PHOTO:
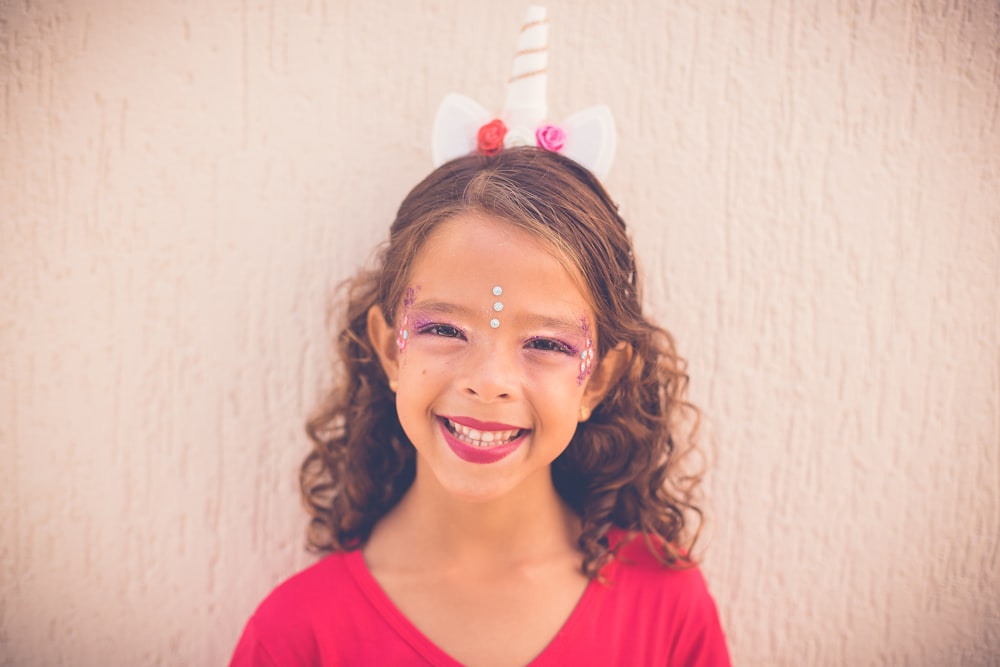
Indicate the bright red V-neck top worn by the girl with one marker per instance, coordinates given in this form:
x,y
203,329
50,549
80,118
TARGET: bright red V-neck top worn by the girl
x,y
335,613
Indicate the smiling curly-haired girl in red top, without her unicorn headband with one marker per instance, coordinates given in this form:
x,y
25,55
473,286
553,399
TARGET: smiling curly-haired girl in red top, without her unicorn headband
x,y
497,477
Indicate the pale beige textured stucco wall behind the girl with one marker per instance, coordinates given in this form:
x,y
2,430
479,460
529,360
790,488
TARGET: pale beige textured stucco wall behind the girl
x,y
813,188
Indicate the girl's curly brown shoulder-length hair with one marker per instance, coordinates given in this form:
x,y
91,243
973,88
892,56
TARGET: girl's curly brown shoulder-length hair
x,y
622,468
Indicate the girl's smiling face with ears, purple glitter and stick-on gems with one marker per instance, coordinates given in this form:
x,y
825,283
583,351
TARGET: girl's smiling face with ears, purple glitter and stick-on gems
x,y
492,355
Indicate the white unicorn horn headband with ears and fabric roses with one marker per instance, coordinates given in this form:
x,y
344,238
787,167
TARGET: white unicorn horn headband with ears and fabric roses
x,y
462,126
